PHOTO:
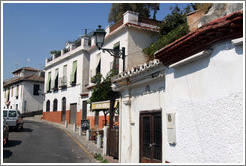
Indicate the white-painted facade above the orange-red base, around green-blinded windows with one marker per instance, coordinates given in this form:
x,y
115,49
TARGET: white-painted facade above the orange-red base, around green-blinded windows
x,y
62,67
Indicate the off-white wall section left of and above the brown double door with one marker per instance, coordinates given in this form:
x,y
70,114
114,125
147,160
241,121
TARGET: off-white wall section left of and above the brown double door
x,y
129,117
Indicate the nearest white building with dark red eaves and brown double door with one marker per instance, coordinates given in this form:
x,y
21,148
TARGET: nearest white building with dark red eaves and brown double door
x,y
188,108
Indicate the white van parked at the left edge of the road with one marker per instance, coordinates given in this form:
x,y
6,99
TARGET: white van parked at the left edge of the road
x,y
13,119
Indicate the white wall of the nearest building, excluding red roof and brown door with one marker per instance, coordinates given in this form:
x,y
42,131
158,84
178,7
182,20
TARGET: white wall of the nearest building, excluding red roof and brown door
x,y
206,96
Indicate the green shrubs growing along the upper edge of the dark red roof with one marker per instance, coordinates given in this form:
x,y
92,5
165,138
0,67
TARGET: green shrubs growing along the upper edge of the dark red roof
x,y
166,39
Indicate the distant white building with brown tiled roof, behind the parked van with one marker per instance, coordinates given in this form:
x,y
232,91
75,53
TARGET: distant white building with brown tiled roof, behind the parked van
x,y
24,90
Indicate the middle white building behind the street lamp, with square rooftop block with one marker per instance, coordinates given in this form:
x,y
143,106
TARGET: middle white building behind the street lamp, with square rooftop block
x,y
132,32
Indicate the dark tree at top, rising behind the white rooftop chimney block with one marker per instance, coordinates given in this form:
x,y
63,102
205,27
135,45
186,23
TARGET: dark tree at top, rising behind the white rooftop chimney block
x,y
118,9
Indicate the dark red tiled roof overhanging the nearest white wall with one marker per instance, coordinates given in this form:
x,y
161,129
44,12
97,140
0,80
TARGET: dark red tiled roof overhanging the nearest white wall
x,y
219,30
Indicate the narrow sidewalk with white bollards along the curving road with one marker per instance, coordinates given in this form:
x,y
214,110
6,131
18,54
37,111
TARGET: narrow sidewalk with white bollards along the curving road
x,y
88,146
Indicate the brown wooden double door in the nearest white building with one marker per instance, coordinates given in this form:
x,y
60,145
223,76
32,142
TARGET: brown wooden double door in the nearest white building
x,y
150,137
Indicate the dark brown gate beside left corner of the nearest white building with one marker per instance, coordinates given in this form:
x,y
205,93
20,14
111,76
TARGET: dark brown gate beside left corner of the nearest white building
x,y
113,143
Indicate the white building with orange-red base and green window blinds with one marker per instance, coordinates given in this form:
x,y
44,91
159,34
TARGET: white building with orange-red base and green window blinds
x,y
66,76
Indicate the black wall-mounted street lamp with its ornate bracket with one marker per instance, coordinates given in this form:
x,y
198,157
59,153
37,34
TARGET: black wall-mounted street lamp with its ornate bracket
x,y
99,35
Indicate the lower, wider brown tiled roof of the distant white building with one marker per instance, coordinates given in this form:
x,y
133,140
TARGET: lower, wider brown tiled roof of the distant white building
x,y
32,77
